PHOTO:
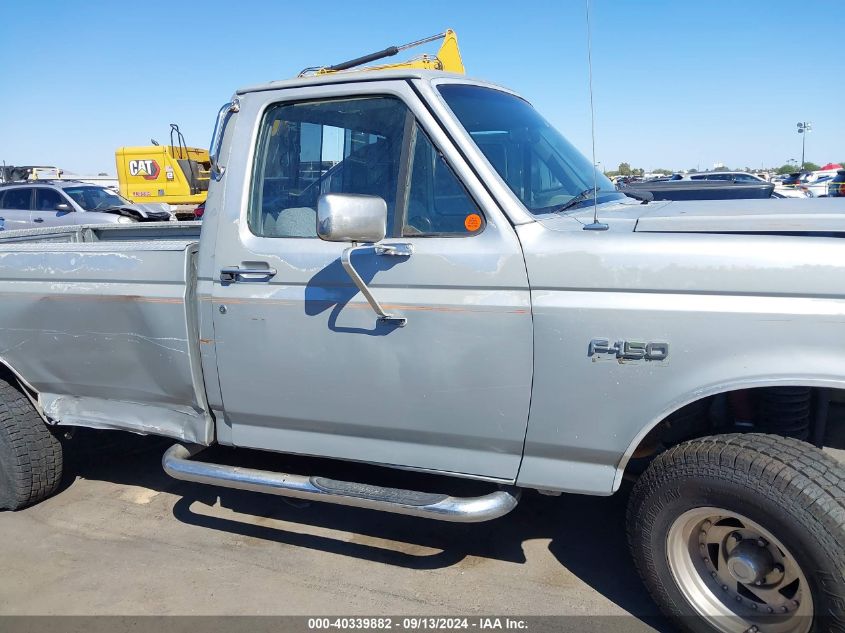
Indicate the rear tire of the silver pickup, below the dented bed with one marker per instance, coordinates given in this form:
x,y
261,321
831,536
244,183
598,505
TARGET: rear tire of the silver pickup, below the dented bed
x,y
30,455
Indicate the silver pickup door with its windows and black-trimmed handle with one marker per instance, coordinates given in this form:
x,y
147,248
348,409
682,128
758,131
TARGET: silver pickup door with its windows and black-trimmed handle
x,y
304,365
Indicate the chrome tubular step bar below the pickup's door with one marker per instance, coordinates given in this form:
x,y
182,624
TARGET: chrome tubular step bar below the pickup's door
x,y
178,464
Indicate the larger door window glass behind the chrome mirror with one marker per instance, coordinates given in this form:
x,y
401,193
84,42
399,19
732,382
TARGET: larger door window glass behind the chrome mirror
x,y
335,146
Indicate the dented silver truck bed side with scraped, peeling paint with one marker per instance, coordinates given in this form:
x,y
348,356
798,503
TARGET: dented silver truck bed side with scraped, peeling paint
x,y
101,322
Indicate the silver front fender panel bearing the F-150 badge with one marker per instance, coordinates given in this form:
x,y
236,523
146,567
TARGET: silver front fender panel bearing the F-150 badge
x,y
736,311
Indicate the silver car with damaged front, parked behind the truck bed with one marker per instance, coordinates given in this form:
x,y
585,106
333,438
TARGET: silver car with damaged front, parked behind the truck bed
x,y
25,205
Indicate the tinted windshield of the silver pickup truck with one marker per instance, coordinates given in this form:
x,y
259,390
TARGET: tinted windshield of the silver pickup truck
x,y
540,166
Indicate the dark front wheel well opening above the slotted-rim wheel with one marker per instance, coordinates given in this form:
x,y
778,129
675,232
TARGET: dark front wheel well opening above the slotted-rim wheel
x,y
812,414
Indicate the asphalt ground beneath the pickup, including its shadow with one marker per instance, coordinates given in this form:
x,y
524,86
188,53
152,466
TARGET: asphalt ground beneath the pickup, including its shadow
x,y
122,538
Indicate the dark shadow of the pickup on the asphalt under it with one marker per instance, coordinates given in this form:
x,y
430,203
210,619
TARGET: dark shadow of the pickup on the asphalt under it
x,y
587,533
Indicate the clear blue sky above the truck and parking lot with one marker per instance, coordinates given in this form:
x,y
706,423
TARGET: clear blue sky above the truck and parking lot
x,y
677,84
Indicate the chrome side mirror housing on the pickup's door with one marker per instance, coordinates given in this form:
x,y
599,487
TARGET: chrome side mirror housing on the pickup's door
x,y
351,217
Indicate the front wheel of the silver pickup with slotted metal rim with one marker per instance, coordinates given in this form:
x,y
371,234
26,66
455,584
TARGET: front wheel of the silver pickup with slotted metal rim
x,y
743,533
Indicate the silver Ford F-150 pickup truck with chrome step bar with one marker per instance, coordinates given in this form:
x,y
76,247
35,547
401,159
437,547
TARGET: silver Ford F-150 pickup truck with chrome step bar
x,y
415,270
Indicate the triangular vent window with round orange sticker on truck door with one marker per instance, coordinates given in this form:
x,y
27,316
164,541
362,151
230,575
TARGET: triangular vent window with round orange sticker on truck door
x,y
438,204
